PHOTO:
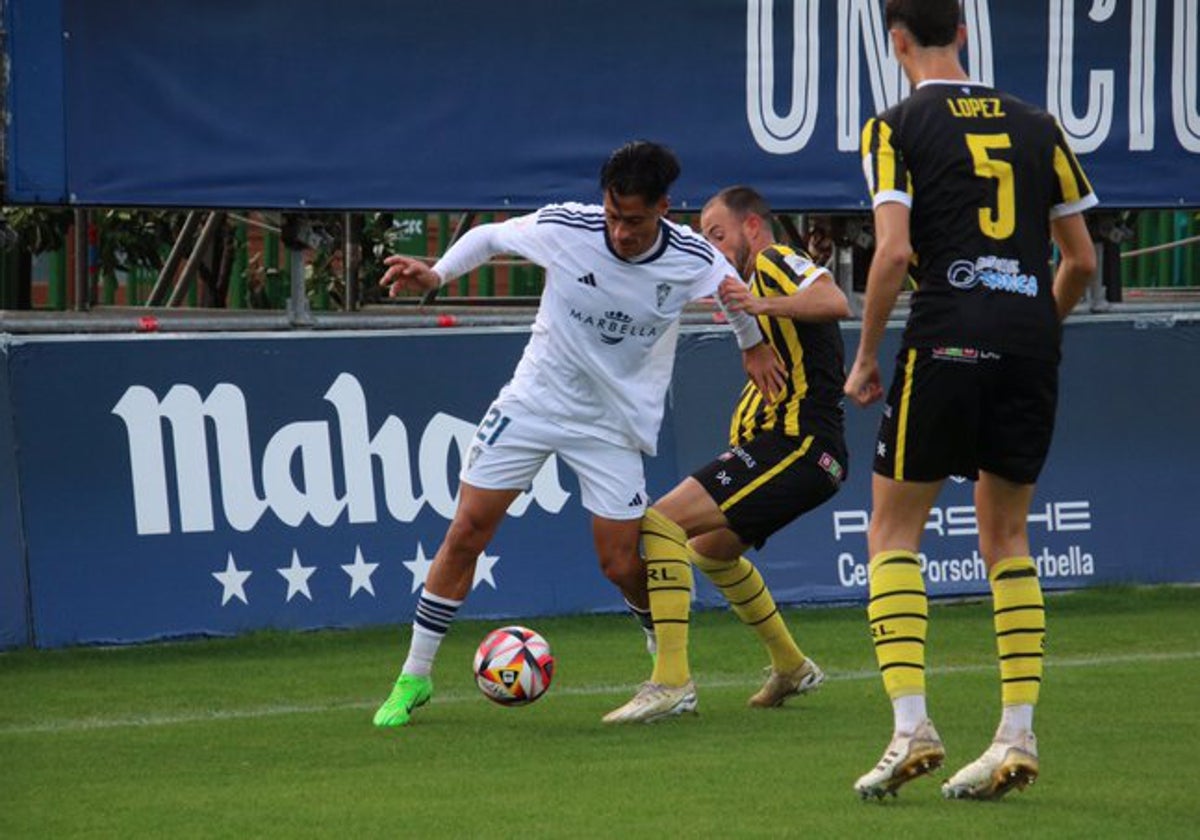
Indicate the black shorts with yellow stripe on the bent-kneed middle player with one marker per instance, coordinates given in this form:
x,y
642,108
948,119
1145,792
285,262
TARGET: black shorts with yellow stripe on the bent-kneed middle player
x,y
771,481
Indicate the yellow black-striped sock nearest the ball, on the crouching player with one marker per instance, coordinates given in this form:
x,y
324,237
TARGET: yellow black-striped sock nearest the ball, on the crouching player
x,y
669,583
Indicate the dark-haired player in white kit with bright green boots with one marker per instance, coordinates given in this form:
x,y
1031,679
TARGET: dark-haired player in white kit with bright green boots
x,y
591,386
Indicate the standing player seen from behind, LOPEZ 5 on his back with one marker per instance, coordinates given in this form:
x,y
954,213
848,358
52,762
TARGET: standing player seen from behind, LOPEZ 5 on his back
x,y
969,185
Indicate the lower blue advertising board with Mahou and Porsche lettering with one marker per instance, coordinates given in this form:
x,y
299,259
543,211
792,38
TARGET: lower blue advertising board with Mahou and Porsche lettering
x,y
307,482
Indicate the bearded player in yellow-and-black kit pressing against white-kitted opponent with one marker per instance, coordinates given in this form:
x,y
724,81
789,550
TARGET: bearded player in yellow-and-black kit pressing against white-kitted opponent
x,y
787,457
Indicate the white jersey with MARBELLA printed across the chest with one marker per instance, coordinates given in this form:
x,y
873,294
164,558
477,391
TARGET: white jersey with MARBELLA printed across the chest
x,y
603,347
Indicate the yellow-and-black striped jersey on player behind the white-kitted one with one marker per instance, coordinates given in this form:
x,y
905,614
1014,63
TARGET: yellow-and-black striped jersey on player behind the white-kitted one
x,y
813,353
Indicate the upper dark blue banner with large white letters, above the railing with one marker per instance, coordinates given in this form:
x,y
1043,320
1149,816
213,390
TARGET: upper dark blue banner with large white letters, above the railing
x,y
316,104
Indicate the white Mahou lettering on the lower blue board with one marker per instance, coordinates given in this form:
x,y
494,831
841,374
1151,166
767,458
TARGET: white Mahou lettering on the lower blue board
x,y
249,484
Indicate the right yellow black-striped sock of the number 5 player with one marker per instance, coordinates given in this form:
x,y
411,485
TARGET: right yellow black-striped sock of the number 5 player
x,y
1019,613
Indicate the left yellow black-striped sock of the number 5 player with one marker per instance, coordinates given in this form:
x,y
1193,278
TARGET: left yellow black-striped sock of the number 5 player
x,y
899,613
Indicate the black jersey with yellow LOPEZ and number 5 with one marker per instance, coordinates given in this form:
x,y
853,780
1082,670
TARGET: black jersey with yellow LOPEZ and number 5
x,y
983,175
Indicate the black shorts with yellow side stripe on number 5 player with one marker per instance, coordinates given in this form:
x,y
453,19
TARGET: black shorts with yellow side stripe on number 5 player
x,y
955,411
